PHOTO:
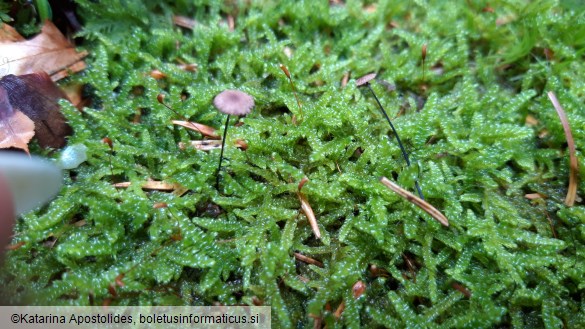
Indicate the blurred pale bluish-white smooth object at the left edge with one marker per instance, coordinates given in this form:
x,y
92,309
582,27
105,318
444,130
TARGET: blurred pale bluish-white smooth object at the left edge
x,y
32,180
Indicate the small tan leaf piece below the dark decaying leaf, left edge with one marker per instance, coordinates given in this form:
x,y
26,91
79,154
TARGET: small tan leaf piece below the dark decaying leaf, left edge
x,y
16,129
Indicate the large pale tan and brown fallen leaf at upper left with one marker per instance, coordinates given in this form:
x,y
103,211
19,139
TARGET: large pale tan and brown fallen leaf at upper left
x,y
49,51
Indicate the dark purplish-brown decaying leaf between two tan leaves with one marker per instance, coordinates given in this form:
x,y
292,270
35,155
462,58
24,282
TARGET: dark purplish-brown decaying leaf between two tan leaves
x,y
37,97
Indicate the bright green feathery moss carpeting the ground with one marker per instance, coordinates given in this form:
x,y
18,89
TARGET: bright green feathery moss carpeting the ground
x,y
475,159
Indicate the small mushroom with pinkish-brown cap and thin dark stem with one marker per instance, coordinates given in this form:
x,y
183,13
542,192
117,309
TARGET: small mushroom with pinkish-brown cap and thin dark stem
x,y
231,102
